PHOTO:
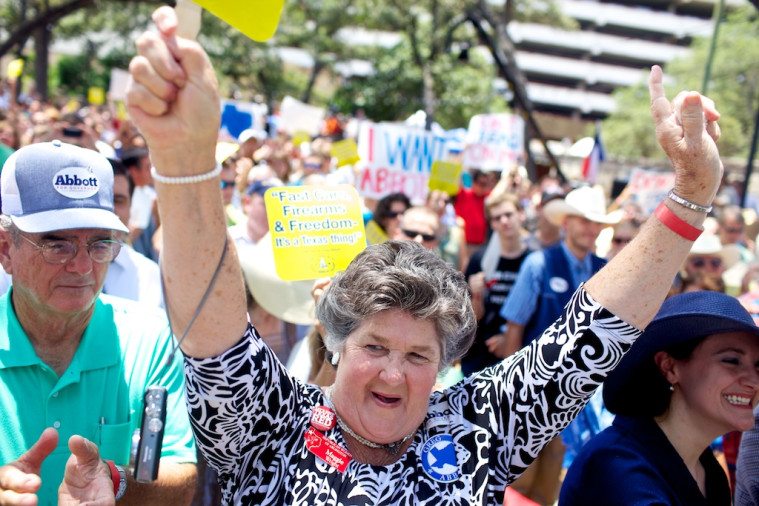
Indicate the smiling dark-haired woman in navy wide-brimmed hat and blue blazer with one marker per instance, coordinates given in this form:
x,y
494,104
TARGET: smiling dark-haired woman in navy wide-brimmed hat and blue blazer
x,y
692,376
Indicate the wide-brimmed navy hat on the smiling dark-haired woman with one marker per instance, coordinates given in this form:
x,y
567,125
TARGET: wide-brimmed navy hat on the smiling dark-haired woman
x,y
683,318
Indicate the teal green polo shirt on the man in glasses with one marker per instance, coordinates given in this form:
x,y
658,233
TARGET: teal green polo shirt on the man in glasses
x,y
124,350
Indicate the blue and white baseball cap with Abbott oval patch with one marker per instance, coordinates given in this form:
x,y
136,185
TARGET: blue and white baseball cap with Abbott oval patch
x,y
57,186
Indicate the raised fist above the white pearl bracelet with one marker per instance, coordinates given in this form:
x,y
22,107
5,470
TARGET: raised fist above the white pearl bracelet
x,y
173,98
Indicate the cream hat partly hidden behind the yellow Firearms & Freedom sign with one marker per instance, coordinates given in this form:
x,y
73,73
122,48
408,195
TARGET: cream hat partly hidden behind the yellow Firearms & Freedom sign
x,y
289,301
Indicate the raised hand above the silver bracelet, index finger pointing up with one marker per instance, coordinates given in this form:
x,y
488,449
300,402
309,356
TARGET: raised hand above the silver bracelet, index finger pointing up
x,y
687,130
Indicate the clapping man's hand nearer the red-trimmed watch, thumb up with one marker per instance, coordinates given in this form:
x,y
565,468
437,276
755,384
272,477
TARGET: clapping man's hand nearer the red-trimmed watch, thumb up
x,y
87,479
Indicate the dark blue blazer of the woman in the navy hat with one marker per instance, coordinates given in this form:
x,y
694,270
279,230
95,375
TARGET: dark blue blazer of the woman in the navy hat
x,y
633,463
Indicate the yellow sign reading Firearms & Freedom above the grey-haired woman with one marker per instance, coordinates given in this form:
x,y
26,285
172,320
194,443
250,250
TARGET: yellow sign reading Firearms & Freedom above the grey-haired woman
x,y
316,230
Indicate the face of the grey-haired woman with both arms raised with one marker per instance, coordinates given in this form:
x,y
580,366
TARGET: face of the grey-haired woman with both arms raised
x,y
386,373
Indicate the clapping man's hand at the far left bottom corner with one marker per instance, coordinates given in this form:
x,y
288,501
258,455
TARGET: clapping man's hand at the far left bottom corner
x,y
20,480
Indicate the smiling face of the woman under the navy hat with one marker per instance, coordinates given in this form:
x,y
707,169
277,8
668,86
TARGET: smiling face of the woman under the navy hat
x,y
718,386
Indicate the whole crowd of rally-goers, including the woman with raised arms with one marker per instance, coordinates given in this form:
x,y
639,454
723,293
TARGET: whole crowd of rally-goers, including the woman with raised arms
x,y
519,340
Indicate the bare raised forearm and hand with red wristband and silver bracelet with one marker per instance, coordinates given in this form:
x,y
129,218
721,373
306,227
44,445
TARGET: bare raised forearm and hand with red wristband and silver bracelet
x,y
634,284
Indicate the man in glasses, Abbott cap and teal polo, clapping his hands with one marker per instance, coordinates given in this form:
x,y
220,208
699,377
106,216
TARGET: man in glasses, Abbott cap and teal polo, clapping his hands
x,y
74,364
